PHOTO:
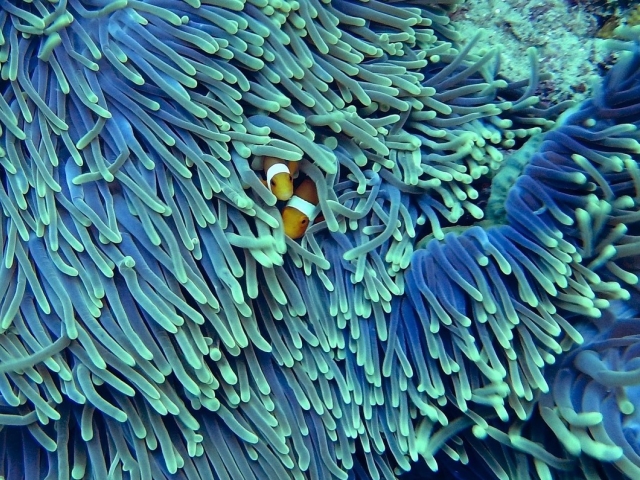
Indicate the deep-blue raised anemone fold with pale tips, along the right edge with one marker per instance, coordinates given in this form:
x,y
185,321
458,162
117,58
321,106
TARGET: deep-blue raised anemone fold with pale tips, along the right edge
x,y
553,275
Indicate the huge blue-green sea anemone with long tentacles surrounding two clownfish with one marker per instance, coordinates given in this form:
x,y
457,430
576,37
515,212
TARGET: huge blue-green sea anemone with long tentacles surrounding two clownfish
x,y
157,322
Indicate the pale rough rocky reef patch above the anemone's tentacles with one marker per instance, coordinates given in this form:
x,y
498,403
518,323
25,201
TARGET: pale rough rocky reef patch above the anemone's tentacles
x,y
562,32
